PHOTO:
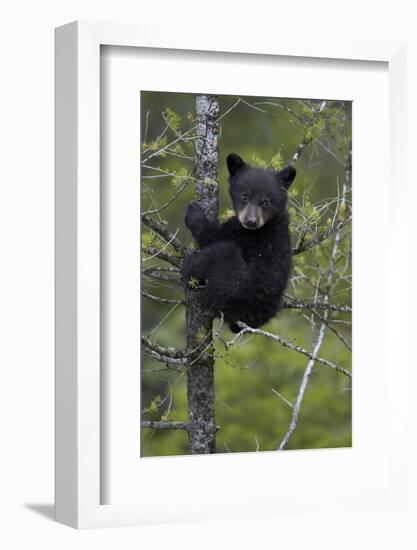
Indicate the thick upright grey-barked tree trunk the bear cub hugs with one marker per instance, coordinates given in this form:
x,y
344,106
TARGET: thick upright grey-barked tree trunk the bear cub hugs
x,y
200,367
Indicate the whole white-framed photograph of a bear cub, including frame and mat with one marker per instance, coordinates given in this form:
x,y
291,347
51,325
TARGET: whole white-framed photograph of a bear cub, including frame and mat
x,y
219,311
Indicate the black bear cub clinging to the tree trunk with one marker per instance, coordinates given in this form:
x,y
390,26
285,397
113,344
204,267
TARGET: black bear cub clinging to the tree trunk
x,y
243,265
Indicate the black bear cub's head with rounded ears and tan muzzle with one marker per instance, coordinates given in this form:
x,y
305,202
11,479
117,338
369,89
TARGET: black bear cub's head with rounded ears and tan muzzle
x,y
259,195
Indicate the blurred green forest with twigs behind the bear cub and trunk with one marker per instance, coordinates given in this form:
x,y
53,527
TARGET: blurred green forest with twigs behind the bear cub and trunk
x,y
256,381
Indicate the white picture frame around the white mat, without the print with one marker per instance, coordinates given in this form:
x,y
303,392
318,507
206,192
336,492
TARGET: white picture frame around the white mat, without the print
x,y
78,411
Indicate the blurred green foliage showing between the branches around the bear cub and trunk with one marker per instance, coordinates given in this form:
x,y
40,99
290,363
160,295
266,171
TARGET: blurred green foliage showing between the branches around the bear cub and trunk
x,y
250,415
